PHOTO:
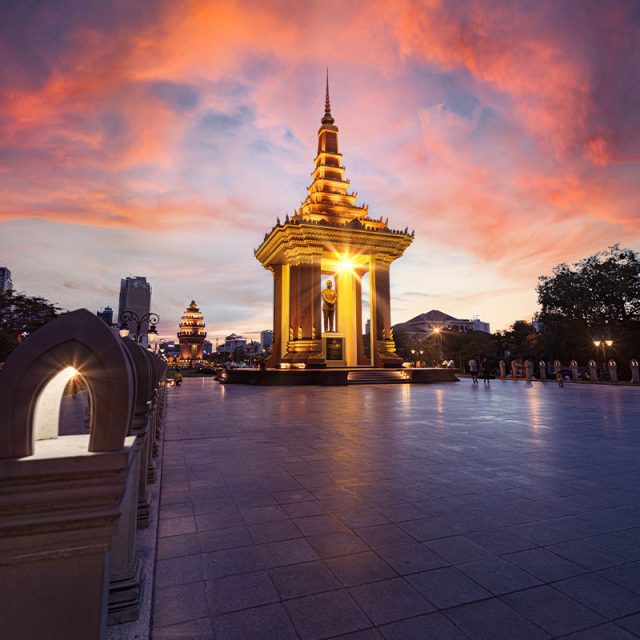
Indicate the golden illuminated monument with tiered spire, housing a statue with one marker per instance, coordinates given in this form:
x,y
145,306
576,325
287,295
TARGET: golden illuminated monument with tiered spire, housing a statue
x,y
329,235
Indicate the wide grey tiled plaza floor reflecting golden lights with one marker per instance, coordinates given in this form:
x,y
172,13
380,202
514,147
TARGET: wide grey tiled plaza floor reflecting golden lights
x,y
398,512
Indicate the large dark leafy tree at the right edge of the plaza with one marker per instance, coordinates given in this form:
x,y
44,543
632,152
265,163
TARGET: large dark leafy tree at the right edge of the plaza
x,y
595,298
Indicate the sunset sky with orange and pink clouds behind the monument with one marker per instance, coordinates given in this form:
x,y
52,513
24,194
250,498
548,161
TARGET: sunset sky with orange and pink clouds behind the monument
x,y
163,138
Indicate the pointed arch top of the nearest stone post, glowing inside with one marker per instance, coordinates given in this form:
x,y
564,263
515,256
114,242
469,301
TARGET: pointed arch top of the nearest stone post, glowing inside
x,y
33,378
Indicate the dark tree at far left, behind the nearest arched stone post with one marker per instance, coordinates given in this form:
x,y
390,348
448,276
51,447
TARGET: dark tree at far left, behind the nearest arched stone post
x,y
21,315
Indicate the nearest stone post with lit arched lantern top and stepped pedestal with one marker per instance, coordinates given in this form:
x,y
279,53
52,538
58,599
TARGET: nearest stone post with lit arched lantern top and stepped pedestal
x,y
54,548
